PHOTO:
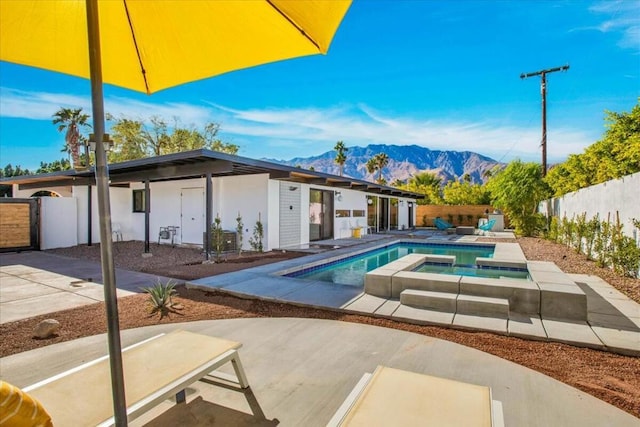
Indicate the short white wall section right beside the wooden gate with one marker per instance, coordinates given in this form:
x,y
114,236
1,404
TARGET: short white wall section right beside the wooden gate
x,y
58,222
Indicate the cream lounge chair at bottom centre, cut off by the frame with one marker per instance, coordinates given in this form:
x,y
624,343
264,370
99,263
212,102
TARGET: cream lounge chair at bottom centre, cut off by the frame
x,y
393,397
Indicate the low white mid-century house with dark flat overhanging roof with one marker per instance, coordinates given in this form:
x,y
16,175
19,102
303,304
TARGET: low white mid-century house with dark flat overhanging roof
x,y
188,190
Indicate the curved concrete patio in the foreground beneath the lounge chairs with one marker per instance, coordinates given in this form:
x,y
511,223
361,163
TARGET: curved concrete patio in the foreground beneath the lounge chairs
x,y
301,370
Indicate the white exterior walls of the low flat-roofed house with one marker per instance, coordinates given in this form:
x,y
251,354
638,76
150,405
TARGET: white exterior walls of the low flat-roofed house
x,y
249,195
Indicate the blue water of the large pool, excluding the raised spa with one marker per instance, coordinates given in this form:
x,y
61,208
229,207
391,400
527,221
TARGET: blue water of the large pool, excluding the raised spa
x,y
351,270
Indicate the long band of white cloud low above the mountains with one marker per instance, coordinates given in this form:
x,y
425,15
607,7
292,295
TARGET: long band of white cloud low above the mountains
x,y
288,132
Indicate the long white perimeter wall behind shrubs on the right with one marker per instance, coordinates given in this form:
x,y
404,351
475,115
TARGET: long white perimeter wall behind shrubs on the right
x,y
619,196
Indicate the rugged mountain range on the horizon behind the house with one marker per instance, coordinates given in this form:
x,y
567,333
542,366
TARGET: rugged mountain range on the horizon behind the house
x,y
404,162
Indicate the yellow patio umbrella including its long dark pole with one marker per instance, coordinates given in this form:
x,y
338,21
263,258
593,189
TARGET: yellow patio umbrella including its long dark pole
x,y
148,46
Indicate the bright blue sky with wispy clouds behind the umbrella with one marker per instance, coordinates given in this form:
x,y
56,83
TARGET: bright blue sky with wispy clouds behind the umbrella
x,y
440,74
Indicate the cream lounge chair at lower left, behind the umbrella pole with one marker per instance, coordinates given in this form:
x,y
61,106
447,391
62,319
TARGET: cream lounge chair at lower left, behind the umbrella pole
x,y
154,370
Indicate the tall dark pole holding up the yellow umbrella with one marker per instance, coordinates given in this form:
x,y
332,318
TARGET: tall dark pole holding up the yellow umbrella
x,y
104,214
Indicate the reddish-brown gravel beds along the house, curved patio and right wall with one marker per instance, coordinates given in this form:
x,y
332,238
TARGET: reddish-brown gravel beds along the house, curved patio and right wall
x,y
610,377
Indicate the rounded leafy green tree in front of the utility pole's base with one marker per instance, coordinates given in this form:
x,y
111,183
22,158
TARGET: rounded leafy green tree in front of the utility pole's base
x,y
517,190
